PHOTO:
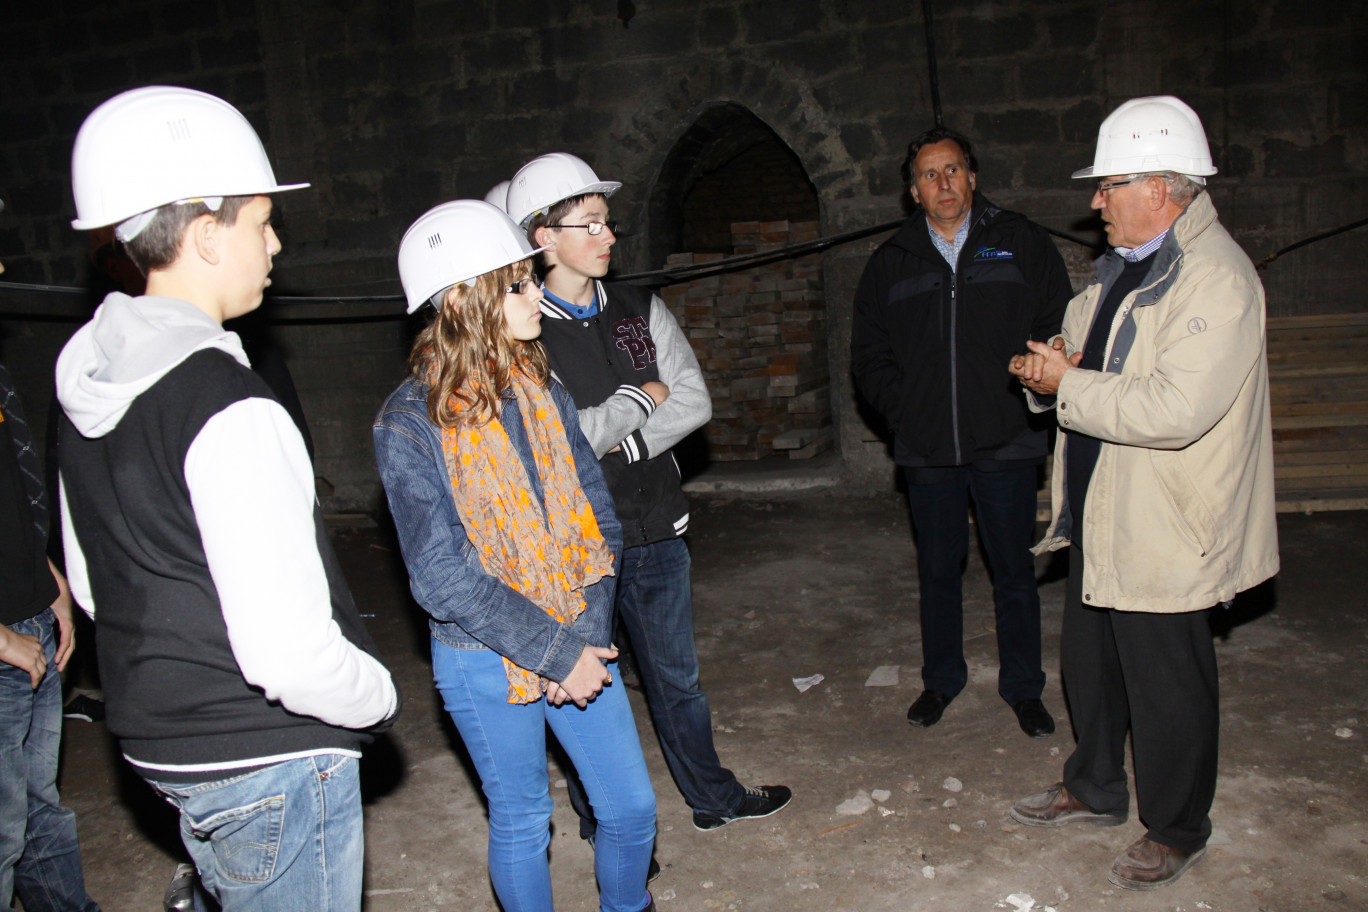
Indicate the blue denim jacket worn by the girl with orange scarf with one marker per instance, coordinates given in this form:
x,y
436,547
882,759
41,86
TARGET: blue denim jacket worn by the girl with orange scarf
x,y
470,609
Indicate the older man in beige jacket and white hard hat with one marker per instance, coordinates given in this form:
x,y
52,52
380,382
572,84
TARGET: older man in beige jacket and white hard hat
x,y
1163,487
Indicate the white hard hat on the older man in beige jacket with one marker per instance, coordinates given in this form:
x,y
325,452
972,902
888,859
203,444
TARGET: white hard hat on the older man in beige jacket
x,y
1157,133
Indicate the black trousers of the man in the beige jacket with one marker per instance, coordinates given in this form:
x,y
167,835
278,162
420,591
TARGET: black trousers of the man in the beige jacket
x,y
1157,676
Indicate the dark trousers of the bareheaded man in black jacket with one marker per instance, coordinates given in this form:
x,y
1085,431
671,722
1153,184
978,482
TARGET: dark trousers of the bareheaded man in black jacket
x,y
1005,502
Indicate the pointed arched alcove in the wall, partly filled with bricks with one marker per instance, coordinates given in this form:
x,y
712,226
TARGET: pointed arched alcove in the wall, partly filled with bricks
x,y
731,187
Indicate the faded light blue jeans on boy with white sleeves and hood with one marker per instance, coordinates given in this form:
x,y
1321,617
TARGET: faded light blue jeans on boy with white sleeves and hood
x,y
285,839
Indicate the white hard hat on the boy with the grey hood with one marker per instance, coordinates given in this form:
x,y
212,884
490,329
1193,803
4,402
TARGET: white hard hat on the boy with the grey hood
x,y
147,148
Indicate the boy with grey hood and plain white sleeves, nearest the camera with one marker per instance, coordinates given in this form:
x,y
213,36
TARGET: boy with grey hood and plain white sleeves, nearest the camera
x,y
237,675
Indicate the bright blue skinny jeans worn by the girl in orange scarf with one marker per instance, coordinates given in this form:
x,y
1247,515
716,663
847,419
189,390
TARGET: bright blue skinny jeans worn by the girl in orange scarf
x,y
508,746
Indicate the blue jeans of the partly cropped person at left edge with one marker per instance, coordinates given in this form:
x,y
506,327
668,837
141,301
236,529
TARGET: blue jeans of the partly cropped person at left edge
x,y
40,858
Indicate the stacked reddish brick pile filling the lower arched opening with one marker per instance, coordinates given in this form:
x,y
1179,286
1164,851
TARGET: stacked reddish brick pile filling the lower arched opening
x,y
761,340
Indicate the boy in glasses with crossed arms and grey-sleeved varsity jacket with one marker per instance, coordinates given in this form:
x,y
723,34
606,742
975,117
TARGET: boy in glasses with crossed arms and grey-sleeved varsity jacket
x,y
640,390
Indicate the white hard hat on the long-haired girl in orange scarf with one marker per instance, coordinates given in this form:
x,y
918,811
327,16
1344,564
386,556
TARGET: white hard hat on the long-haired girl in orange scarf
x,y
456,243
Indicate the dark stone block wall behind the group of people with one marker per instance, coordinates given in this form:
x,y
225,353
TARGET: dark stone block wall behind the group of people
x,y
392,106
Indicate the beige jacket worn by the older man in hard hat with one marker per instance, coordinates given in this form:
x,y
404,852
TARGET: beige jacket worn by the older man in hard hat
x,y
1180,512
